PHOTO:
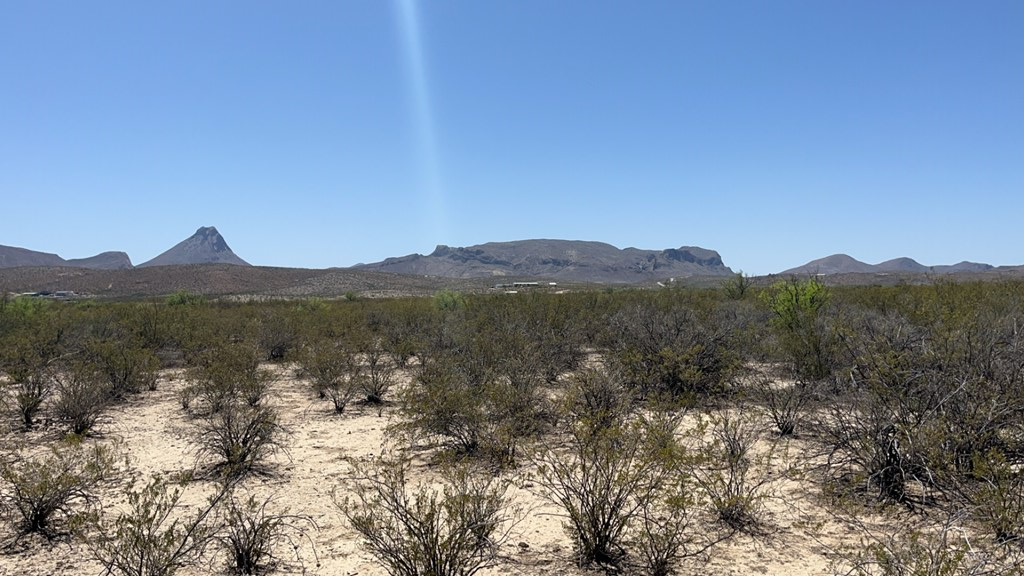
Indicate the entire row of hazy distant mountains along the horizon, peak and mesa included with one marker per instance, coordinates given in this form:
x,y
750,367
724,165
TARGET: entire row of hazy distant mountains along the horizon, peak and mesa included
x,y
567,261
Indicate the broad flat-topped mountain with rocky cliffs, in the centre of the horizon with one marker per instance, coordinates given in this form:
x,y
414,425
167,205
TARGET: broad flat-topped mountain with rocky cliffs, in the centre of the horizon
x,y
565,260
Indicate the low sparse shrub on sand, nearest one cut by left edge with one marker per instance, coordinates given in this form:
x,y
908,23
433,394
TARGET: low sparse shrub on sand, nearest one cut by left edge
x,y
48,489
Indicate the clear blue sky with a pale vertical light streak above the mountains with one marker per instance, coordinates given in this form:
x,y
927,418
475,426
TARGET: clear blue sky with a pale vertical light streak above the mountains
x,y
322,134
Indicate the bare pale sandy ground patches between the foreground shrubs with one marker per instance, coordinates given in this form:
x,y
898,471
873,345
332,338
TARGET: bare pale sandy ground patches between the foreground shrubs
x,y
802,538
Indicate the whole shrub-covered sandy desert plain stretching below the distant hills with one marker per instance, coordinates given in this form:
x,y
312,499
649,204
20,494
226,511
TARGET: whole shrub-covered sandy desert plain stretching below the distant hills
x,y
753,428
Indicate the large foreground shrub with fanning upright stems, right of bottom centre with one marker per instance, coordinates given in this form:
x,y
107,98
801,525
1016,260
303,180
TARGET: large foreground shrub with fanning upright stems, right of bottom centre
x,y
604,479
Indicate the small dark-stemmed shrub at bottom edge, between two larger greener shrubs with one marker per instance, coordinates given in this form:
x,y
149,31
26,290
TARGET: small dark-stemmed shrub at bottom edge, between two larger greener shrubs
x,y
252,536
